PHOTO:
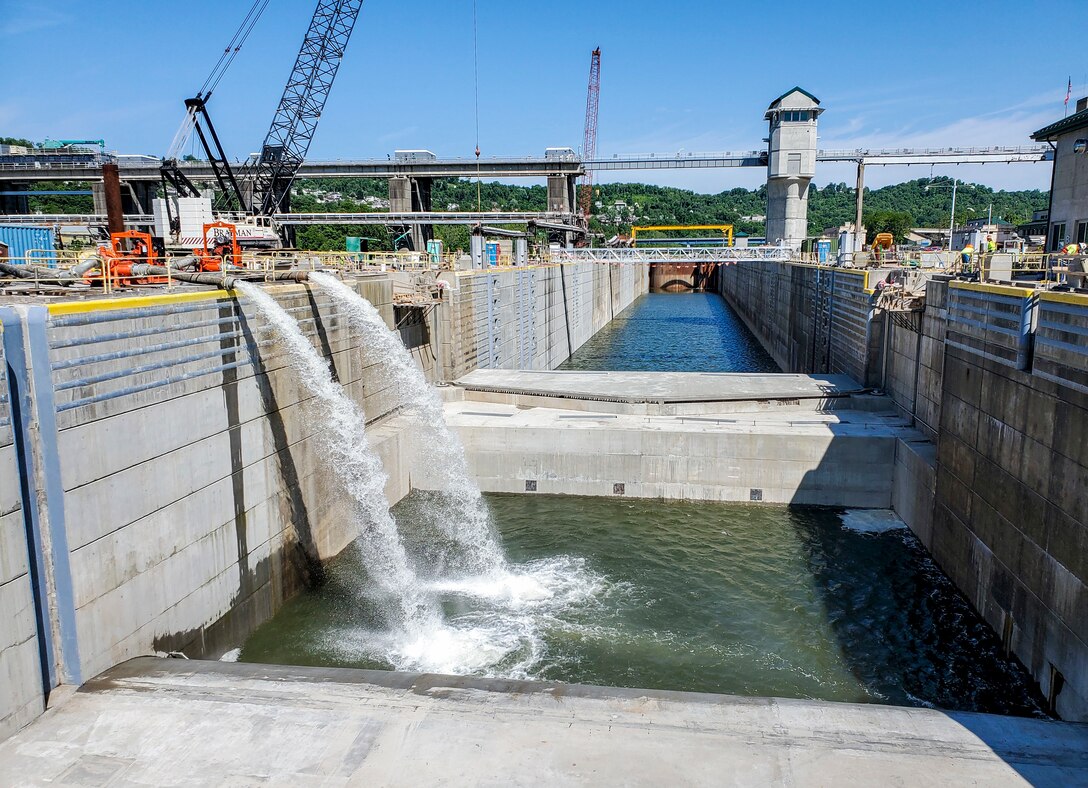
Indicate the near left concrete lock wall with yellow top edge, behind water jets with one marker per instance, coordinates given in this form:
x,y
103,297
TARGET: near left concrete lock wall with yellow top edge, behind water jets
x,y
179,465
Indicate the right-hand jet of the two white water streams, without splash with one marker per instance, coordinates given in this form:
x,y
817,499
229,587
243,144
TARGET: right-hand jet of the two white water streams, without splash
x,y
462,513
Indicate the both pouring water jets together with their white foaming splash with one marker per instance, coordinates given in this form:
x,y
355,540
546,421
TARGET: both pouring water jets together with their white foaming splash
x,y
496,612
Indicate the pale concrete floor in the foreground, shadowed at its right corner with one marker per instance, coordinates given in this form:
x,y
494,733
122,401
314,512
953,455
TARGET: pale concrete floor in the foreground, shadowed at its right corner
x,y
170,722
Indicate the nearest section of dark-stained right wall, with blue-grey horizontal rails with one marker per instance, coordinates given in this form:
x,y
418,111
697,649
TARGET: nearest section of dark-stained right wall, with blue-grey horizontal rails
x,y
1011,516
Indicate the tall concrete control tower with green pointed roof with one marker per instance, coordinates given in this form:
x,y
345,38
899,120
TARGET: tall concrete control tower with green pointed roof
x,y
792,164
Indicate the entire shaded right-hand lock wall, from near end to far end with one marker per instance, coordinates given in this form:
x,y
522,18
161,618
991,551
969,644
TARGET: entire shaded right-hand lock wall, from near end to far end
x,y
997,379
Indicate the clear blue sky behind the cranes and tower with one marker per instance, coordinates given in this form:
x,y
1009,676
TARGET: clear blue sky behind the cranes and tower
x,y
689,75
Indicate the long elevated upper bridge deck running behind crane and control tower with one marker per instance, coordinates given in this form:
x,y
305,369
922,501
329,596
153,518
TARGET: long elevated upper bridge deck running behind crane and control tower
x,y
41,169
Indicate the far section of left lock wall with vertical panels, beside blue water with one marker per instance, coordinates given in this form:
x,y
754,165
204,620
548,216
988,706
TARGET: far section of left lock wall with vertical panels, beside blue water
x,y
528,318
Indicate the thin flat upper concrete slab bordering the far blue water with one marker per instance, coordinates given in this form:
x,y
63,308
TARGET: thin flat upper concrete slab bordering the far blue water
x,y
661,387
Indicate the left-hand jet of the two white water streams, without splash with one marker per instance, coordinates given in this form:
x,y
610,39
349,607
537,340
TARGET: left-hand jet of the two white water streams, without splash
x,y
349,454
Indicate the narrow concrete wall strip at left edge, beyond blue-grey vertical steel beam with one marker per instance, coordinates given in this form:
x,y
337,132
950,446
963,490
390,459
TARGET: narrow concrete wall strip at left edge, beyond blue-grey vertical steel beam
x,y
22,694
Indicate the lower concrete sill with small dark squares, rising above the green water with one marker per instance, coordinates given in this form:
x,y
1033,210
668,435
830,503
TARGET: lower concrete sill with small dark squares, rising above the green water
x,y
786,455
